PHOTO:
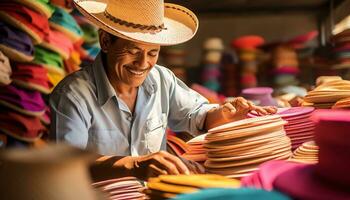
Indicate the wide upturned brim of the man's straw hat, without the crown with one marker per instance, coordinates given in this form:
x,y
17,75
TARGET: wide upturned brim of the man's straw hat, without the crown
x,y
181,24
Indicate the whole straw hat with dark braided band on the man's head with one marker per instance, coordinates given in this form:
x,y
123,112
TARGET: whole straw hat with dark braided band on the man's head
x,y
151,21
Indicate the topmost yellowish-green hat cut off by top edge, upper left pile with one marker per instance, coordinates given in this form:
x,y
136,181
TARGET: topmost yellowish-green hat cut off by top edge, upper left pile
x,y
41,6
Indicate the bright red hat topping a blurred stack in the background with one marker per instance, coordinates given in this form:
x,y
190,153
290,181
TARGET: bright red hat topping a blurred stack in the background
x,y
247,42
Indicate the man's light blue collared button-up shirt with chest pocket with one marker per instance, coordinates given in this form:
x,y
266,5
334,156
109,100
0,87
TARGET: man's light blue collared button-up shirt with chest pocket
x,y
87,113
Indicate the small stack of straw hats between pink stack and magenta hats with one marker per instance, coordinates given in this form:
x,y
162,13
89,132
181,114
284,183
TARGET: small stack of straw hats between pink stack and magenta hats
x,y
306,153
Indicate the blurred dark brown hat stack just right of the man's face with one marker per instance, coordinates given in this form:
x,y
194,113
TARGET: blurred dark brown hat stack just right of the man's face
x,y
174,57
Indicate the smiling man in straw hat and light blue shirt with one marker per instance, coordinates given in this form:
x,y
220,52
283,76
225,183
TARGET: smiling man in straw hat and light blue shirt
x,y
121,105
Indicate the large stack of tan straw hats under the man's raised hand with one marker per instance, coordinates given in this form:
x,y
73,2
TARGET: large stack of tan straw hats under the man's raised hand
x,y
236,149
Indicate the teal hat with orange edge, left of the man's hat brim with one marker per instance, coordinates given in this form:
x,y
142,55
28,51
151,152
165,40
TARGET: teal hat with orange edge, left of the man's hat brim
x,y
65,23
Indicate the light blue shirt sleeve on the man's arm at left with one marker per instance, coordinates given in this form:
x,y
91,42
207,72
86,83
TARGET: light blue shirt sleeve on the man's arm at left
x,y
68,122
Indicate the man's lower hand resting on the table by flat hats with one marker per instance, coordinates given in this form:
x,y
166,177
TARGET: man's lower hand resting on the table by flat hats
x,y
153,165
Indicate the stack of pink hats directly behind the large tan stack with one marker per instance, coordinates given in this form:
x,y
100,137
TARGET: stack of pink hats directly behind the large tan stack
x,y
299,128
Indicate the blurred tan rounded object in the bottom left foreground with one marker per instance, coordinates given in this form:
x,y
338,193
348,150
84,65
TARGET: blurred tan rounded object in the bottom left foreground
x,y
54,172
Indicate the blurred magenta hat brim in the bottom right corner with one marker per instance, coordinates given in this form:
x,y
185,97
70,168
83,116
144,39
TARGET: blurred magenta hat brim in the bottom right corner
x,y
300,182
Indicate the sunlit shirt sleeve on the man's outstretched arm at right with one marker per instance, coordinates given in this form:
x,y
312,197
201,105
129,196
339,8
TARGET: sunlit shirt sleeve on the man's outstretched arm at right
x,y
187,109
